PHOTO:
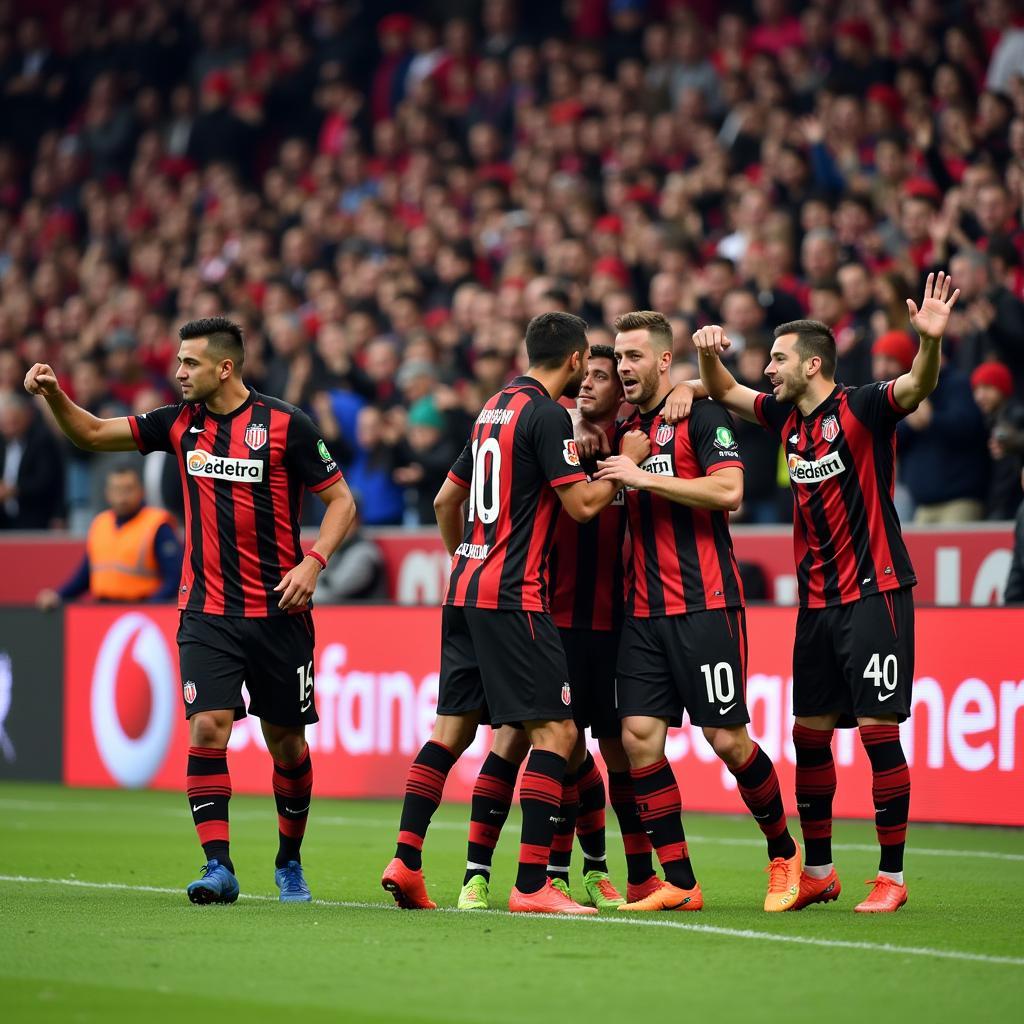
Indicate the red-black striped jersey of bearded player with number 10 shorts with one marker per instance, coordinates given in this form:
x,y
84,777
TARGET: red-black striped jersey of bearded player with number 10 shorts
x,y
682,557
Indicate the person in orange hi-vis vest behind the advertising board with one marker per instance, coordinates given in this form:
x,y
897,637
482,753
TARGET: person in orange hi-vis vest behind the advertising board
x,y
132,552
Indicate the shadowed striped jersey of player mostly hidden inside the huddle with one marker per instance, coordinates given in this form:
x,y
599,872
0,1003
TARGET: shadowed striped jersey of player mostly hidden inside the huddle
x,y
587,586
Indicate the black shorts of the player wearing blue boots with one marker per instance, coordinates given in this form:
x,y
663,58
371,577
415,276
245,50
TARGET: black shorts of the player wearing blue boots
x,y
274,657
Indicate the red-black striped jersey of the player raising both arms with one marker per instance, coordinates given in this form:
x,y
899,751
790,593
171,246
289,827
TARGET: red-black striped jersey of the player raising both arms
x,y
846,534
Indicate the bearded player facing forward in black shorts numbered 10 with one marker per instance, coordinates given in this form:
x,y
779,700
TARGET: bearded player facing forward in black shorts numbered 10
x,y
685,639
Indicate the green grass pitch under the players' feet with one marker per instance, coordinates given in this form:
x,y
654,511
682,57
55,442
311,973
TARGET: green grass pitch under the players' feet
x,y
74,953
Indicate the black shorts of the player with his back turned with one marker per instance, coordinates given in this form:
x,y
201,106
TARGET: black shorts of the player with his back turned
x,y
509,665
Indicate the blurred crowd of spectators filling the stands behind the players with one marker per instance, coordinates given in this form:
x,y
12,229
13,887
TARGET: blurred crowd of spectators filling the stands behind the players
x,y
385,199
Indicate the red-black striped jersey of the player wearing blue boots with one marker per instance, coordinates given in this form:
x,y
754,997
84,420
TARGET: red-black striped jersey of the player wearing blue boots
x,y
243,476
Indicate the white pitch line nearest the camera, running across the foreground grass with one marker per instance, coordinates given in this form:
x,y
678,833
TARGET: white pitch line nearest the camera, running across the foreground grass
x,y
735,933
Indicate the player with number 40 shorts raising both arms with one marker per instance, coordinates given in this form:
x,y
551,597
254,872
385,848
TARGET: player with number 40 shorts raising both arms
x,y
854,657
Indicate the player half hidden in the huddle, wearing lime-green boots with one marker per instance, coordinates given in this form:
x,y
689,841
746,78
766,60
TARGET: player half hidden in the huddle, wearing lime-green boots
x,y
586,589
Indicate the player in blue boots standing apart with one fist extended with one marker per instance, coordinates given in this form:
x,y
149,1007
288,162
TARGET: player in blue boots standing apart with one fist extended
x,y
244,598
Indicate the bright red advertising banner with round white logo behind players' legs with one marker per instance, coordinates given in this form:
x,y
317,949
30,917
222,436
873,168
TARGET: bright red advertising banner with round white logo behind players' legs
x,y
376,686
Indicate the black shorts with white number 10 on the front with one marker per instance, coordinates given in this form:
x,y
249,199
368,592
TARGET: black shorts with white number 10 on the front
x,y
695,663
